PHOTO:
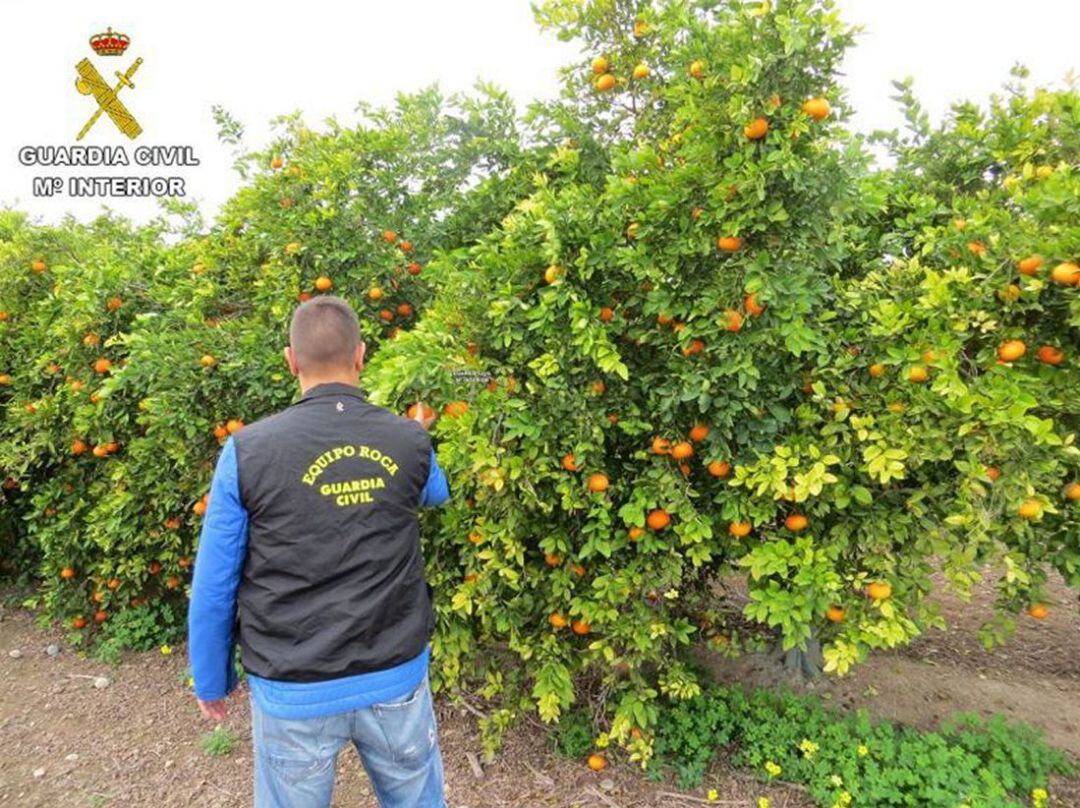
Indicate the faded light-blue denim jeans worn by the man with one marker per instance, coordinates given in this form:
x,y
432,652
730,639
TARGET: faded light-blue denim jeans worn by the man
x,y
398,743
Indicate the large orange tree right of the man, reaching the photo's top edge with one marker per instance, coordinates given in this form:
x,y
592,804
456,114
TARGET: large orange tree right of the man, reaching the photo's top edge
x,y
710,341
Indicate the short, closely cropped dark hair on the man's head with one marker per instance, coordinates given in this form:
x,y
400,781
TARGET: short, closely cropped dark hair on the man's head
x,y
325,334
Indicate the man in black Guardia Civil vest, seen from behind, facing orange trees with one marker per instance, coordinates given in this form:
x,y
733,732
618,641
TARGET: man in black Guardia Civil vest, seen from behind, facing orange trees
x,y
310,560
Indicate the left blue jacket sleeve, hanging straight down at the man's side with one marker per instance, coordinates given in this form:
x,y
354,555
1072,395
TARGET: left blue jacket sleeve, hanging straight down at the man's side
x,y
220,561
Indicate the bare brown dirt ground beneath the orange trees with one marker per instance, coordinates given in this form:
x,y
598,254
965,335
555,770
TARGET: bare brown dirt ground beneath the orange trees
x,y
137,743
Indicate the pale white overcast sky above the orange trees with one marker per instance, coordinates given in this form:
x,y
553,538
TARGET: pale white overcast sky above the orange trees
x,y
322,57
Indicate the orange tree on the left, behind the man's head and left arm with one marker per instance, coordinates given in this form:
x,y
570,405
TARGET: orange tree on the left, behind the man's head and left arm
x,y
130,354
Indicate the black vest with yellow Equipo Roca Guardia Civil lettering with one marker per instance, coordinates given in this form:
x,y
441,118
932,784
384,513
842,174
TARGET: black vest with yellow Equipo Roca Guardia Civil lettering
x,y
333,584
